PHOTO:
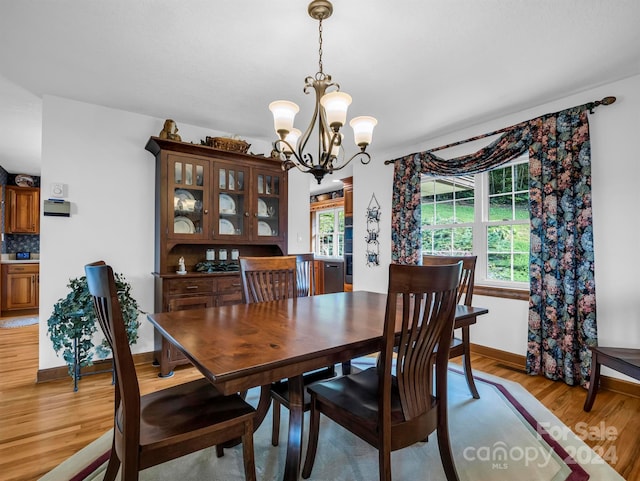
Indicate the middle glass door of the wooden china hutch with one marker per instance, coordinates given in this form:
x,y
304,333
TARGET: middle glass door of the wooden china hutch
x,y
231,197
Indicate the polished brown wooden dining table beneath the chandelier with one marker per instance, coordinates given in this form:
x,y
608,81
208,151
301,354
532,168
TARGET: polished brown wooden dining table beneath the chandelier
x,y
243,346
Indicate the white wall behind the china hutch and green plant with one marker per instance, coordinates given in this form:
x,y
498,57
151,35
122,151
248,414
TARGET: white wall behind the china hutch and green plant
x,y
99,154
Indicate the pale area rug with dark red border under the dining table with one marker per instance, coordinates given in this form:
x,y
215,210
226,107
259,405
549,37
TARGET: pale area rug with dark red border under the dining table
x,y
505,435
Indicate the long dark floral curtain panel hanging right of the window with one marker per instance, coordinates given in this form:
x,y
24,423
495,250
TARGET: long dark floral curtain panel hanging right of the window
x,y
562,303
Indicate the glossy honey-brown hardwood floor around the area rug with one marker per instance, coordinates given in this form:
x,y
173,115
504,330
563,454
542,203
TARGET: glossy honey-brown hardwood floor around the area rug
x,y
43,424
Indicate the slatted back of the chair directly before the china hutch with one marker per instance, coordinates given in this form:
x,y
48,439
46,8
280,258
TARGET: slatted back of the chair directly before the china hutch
x,y
268,278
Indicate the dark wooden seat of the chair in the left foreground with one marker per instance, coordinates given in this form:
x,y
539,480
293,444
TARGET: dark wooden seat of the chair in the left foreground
x,y
186,410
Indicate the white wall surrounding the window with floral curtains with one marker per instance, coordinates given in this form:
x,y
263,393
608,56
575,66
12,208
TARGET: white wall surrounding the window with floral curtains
x,y
615,171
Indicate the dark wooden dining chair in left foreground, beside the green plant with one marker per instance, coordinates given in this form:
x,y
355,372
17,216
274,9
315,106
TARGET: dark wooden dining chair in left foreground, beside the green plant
x,y
163,425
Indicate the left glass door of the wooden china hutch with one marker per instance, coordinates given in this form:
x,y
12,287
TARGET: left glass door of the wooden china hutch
x,y
189,204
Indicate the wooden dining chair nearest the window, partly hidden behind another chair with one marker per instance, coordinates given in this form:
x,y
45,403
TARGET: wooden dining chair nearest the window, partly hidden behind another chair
x,y
461,346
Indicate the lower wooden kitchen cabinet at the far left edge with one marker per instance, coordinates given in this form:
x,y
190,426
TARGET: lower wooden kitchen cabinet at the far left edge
x,y
20,286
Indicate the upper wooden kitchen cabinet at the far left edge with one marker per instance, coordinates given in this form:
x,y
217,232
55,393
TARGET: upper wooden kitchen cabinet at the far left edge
x,y
22,210
